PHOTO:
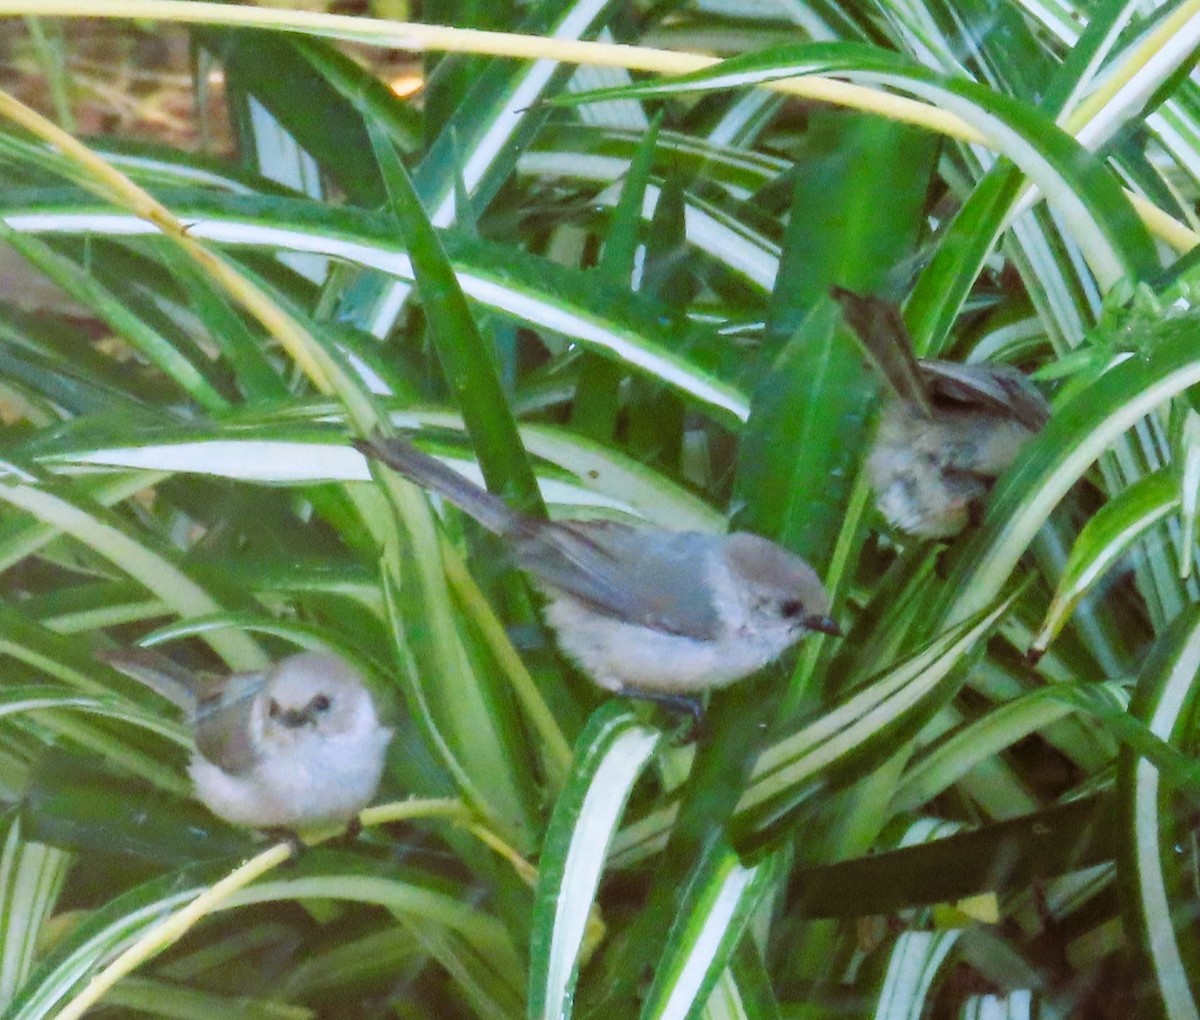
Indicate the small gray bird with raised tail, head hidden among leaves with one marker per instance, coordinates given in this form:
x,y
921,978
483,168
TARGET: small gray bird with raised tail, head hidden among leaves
x,y
947,431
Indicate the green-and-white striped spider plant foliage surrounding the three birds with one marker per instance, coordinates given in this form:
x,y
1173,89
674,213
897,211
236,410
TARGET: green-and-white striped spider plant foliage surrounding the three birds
x,y
608,293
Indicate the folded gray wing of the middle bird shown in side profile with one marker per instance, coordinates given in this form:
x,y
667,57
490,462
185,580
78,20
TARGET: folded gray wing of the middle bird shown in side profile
x,y
651,578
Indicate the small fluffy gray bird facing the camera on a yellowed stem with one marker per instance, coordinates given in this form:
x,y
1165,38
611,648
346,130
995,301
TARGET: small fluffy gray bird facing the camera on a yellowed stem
x,y
295,747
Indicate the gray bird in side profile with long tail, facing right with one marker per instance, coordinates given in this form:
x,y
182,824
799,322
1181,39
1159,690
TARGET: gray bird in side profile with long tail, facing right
x,y
644,611
